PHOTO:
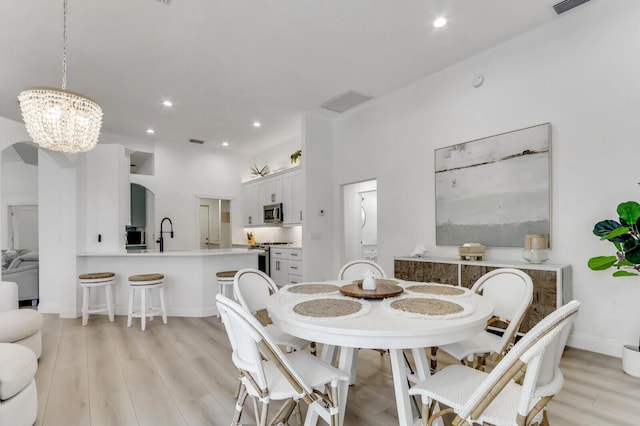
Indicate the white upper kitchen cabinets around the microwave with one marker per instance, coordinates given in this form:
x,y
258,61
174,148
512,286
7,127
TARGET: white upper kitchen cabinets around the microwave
x,y
285,187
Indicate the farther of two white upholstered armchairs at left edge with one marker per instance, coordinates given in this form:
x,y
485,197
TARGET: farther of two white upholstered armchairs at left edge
x,y
22,326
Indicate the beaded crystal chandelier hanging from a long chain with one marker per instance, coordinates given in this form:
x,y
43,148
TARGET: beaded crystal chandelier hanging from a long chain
x,y
58,119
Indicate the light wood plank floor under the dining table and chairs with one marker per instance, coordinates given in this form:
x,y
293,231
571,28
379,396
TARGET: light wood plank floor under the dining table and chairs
x,y
181,374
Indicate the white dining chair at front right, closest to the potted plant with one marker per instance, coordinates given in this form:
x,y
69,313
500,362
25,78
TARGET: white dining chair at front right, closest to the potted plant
x,y
518,388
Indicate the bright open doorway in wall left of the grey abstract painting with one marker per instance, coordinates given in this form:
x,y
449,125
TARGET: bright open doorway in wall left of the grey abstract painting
x,y
360,218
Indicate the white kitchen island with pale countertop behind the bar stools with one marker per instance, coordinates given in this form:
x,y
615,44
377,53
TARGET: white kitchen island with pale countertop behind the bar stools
x,y
190,275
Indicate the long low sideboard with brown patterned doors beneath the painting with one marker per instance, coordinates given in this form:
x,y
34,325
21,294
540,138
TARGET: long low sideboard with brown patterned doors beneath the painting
x,y
551,283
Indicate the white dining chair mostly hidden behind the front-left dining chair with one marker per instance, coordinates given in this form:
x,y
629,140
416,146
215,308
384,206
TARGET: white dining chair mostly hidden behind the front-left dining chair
x,y
251,288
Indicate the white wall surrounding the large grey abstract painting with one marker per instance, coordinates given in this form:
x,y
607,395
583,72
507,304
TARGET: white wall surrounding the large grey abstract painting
x,y
579,73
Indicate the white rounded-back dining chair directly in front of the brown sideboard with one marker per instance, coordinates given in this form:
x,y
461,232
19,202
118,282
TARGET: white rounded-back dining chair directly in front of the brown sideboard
x,y
511,292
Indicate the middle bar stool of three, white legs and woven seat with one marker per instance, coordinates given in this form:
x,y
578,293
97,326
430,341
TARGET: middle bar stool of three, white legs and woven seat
x,y
146,283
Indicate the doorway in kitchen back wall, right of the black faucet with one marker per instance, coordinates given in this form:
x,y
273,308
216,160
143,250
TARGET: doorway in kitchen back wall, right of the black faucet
x,y
214,223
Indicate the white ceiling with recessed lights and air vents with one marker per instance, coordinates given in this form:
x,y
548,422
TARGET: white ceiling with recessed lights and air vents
x,y
226,63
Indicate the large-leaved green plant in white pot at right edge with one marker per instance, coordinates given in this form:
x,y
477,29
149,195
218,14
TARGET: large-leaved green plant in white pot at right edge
x,y
624,235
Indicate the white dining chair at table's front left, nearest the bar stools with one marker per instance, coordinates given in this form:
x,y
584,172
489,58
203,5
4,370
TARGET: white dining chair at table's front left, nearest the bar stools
x,y
267,373
